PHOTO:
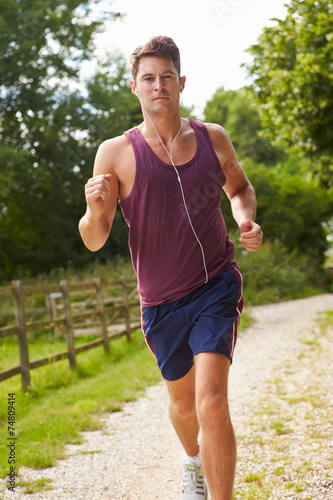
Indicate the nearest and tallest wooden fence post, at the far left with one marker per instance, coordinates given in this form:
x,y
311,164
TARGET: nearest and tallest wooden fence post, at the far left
x,y
21,333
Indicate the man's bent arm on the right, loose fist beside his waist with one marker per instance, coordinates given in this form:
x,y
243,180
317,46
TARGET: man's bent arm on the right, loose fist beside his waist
x,y
238,189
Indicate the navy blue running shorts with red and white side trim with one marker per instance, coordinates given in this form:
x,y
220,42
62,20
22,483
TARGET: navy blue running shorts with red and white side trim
x,y
205,320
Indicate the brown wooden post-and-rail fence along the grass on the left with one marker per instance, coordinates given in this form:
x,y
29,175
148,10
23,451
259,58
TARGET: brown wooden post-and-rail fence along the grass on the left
x,y
109,309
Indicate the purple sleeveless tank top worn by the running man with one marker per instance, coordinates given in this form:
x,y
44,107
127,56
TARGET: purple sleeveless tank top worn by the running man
x,y
166,256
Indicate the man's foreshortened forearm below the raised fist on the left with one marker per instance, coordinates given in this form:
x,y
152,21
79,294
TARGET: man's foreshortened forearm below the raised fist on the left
x,y
94,231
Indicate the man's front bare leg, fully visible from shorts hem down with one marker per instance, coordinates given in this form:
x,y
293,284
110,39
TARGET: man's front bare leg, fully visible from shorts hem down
x,y
218,444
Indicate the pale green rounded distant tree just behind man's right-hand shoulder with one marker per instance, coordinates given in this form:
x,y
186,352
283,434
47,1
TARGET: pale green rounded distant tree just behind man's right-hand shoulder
x,y
236,111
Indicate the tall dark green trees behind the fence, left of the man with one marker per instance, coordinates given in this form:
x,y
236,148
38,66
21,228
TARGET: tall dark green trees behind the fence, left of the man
x,y
51,122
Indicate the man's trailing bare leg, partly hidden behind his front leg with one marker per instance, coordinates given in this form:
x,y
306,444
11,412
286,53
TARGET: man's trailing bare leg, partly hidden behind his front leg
x,y
182,411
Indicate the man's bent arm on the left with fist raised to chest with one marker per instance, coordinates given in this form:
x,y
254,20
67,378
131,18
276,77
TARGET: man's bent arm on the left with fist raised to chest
x,y
101,193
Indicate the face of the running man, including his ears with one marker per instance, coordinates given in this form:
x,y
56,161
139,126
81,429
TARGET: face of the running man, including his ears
x,y
158,83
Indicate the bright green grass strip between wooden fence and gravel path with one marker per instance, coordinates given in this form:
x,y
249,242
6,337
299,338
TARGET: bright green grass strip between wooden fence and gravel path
x,y
62,403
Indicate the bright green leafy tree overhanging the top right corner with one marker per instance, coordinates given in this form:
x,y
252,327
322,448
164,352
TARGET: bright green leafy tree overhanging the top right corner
x,y
293,79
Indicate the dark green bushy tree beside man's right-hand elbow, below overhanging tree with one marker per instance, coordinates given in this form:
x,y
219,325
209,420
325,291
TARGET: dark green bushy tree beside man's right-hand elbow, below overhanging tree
x,y
292,209
